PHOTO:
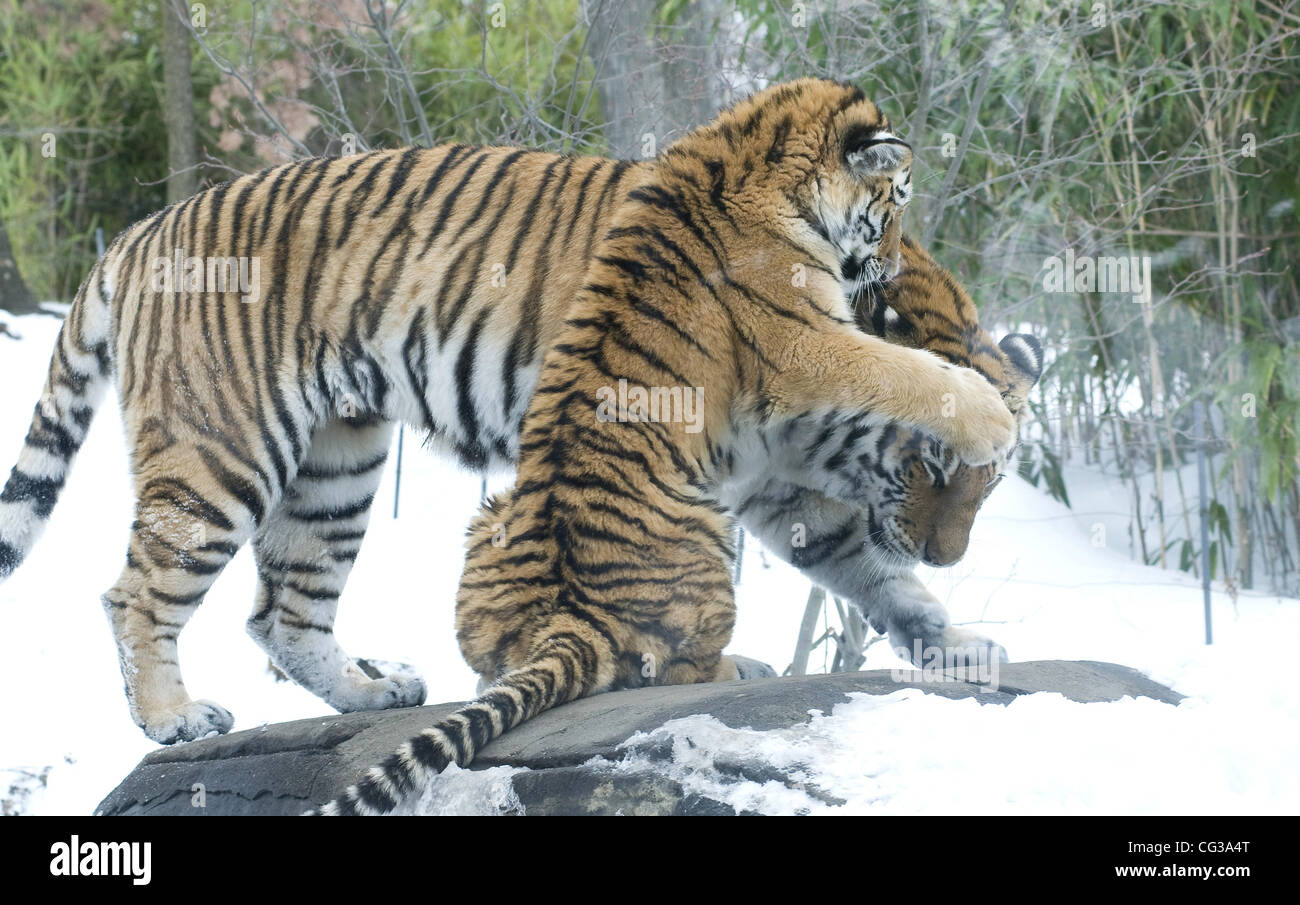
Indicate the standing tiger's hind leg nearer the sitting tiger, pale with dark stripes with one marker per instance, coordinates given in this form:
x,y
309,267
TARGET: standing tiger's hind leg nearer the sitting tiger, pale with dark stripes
x,y
305,553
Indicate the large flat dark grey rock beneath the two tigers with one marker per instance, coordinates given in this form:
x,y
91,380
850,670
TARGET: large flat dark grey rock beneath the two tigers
x,y
569,756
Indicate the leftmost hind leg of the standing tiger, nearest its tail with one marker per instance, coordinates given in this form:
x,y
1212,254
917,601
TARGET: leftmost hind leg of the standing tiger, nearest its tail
x,y
183,539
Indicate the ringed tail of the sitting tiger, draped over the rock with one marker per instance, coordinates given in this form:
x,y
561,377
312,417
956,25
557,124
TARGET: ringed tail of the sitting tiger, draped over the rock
x,y
557,673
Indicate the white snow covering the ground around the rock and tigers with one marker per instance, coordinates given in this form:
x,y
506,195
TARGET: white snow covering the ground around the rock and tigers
x,y
1033,579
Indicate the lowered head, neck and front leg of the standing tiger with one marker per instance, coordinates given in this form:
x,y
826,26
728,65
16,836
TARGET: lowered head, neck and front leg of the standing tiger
x,y
924,503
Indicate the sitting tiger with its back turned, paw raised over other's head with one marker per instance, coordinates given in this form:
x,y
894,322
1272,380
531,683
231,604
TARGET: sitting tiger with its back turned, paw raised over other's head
x,y
609,562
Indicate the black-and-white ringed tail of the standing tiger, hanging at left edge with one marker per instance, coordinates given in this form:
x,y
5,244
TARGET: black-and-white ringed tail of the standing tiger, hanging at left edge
x,y
79,375
